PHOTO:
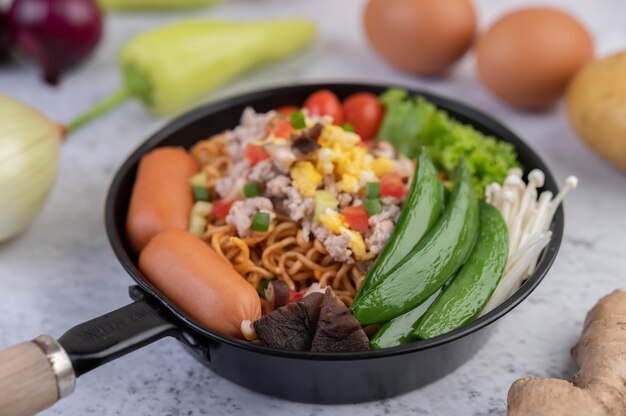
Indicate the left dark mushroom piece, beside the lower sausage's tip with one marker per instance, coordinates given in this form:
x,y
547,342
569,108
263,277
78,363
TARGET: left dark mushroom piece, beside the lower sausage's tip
x,y
291,327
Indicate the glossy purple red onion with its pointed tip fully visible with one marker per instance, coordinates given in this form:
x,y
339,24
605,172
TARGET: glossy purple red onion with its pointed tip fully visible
x,y
59,34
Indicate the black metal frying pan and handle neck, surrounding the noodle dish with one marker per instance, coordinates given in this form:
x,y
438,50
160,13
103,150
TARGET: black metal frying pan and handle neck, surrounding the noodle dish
x,y
356,377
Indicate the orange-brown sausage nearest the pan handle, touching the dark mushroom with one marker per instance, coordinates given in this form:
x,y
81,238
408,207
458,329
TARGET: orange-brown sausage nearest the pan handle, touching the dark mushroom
x,y
202,284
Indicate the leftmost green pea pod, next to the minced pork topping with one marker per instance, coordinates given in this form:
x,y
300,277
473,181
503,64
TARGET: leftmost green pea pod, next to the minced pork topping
x,y
421,210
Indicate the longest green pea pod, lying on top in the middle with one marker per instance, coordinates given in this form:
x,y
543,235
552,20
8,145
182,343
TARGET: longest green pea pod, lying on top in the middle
x,y
430,263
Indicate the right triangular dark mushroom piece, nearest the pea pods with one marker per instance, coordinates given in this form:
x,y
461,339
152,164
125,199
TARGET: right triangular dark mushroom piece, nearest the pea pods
x,y
337,329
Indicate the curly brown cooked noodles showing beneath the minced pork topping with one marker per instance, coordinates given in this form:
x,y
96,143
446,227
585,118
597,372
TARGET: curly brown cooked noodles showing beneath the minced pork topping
x,y
283,252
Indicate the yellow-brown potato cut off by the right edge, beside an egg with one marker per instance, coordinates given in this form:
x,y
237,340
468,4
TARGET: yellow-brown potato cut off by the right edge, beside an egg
x,y
596,104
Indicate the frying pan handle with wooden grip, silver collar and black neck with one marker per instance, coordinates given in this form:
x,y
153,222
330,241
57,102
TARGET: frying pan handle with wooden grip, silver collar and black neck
x,y
34,375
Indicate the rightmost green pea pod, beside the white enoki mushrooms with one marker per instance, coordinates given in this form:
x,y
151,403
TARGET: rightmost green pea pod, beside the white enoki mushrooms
x,y
467,295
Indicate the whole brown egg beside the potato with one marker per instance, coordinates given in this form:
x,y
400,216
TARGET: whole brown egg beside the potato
x,y
527,57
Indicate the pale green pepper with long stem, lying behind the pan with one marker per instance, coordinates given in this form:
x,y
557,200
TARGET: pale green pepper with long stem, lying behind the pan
x,y
171,68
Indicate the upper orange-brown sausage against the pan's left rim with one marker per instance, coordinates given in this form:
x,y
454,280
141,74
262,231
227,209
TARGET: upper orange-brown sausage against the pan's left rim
x,y
162,197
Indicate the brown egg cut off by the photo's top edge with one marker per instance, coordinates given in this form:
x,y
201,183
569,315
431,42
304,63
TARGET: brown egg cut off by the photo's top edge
x,y
424,37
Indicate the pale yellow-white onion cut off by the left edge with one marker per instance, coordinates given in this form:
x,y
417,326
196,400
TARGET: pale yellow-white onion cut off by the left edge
x,y
29,159
